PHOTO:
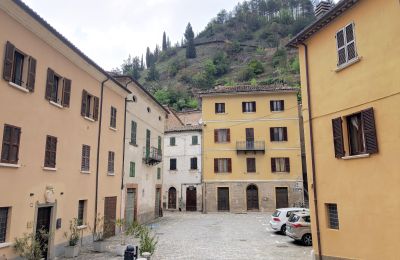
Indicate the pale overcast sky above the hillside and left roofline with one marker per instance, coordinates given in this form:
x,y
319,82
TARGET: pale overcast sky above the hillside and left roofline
x,y
109,30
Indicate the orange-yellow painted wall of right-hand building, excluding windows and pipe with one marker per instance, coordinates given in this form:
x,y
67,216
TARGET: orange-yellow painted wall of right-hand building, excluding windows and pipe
x,y
366,188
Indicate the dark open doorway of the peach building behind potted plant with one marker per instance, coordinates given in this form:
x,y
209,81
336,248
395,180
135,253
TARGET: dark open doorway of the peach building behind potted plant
x,y
43,223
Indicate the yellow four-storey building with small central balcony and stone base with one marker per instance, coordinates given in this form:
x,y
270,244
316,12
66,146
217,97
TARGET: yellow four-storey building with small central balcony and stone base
x,y
251,148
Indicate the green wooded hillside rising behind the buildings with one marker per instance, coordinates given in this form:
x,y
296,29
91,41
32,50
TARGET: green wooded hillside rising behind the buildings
x,y
244,46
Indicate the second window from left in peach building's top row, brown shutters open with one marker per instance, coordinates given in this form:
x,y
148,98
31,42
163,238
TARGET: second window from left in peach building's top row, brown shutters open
x,y
58,89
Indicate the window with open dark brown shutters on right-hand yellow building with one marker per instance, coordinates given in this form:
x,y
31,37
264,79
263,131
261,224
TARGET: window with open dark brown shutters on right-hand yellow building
x,y
361,134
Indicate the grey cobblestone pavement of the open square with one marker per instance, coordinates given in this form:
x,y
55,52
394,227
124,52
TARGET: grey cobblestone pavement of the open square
x,y
187,236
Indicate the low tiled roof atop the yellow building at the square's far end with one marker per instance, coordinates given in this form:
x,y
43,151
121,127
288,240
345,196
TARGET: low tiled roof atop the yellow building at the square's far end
x,y
248,89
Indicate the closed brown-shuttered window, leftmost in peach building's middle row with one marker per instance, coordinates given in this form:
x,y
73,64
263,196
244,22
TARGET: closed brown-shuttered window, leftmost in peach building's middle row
x,y
10,148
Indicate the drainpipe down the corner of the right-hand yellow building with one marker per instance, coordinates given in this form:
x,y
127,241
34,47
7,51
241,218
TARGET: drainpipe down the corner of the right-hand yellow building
x,y
314,177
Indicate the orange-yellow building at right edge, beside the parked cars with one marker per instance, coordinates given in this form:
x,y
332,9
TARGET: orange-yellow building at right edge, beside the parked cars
x,y
350,77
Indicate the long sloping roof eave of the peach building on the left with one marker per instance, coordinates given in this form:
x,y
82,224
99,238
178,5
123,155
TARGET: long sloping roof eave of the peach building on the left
x,y
45,24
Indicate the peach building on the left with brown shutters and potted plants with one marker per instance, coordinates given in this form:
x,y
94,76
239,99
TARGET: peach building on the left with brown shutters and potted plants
x,y
61,125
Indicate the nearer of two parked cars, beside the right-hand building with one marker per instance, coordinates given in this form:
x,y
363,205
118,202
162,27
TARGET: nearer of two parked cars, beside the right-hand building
x,y
298,227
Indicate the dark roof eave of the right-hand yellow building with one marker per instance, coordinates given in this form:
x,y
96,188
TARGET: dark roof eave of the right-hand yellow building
x,y
336,11
